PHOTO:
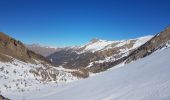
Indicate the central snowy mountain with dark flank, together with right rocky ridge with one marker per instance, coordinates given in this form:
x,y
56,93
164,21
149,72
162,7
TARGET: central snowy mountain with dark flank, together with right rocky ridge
x,y
100,55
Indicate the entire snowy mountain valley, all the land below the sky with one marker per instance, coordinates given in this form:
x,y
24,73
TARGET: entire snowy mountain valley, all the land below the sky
x,y
134,69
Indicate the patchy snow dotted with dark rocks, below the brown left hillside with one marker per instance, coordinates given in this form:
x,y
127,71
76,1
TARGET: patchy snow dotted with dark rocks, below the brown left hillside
x,y
16,76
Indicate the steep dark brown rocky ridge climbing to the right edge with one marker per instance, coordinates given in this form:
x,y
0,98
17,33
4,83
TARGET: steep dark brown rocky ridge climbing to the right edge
x,y
161,40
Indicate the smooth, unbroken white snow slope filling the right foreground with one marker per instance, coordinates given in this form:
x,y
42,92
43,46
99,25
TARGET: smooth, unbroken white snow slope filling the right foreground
x,y
144,79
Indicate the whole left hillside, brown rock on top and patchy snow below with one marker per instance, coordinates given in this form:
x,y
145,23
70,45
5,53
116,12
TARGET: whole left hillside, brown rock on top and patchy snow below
x,y
23,70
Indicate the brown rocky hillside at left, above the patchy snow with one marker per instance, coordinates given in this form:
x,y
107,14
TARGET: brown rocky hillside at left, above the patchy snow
x,y
16,49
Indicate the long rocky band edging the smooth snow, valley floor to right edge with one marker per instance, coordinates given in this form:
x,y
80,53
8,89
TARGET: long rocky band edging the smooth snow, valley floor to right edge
x,y
159,41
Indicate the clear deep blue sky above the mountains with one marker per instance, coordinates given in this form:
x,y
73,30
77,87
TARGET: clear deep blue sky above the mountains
x,y
75,22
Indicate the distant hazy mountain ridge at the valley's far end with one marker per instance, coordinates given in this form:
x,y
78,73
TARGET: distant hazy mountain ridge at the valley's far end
x,y
42,50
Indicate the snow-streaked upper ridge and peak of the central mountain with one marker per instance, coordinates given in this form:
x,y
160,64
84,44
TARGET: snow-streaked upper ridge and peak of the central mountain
x,y
96,45
